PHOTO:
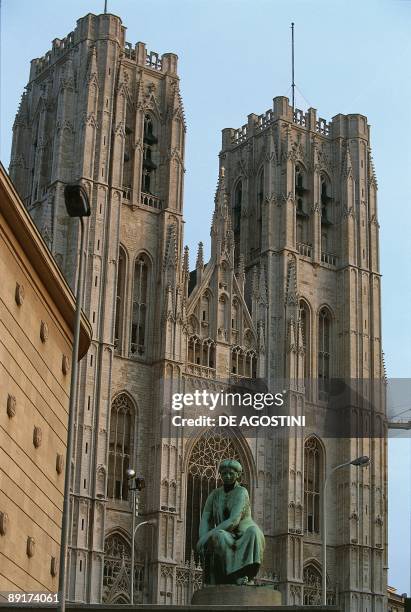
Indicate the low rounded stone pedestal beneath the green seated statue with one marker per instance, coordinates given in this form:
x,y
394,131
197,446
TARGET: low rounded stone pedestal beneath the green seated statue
x,y
233,595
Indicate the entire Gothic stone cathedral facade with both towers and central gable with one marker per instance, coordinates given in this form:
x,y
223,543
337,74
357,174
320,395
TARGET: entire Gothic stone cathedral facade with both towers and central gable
x,y
291,292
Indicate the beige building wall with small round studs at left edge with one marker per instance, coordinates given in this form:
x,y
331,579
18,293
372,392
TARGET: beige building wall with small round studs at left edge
x,y
36,334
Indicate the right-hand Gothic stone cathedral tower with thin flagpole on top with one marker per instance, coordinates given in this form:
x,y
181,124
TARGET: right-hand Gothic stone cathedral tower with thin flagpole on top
x,y
302,195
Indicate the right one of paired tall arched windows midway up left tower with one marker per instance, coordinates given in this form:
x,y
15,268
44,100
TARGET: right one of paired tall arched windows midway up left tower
x,y
139,314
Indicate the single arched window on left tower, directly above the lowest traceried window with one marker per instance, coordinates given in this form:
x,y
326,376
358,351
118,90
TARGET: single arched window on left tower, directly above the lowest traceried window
x,y
120,446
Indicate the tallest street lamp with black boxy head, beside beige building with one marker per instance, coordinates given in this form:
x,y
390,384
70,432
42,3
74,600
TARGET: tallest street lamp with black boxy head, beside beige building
x,y
77,205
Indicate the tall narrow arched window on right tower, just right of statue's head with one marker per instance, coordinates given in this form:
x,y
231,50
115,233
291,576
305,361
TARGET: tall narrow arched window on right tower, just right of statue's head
x,y
313,467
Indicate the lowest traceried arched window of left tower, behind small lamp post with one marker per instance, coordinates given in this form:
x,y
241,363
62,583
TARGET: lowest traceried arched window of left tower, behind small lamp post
x,y
116,574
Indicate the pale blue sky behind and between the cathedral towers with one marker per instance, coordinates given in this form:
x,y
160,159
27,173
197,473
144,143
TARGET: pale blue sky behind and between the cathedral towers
x,y
234,58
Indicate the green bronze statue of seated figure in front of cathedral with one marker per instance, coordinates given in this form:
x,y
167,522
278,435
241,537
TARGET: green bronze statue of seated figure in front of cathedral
x,y
231,545
